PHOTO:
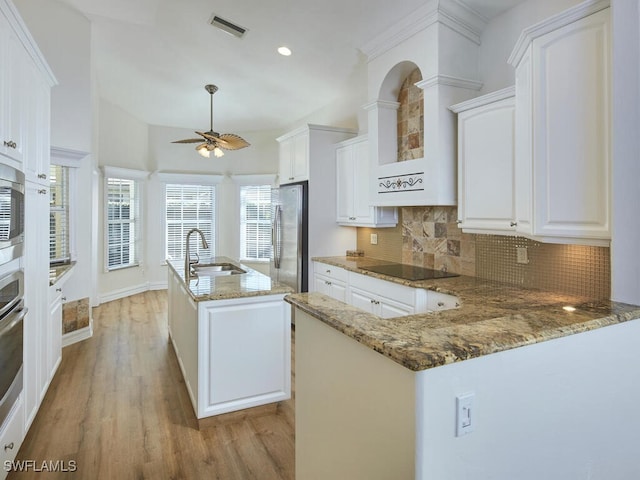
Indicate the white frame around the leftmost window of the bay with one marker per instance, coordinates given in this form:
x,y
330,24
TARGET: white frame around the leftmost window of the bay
x,y
138,177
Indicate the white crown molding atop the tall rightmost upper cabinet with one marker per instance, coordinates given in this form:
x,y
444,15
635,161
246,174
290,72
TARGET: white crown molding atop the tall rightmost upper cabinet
x,y
550,24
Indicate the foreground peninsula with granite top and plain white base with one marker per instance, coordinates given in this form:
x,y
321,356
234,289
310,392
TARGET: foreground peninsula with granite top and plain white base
x,y
548,385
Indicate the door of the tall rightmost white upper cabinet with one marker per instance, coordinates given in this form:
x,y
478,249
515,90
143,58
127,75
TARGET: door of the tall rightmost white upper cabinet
x,y
571,88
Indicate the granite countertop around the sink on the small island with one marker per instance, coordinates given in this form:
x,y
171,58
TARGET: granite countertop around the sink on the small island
x,y
223,287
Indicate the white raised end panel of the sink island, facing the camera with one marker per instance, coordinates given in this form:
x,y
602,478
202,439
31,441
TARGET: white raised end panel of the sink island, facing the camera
x,y
244,354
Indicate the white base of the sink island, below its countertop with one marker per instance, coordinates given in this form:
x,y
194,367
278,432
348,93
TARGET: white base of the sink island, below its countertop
x,y
234,353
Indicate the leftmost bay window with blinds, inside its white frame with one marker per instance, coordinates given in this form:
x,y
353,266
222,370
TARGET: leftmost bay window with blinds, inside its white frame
x,y
122,223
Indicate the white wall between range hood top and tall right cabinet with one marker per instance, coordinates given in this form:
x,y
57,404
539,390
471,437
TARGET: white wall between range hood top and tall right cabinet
x,y
501,34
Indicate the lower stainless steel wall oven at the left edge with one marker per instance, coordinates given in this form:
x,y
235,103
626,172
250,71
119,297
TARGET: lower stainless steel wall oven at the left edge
x,y
12,313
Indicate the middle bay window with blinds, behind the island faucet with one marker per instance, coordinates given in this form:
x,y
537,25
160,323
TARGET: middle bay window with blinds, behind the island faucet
x,y
187,207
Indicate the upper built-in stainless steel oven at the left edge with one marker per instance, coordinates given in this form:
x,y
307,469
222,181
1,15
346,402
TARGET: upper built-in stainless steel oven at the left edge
x,y
11,213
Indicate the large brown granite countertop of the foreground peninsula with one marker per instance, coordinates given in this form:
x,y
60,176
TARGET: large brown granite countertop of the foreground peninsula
x,y
492,317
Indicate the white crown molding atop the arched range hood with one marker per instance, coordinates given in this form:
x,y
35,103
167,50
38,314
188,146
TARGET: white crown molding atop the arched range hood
x,y
451,13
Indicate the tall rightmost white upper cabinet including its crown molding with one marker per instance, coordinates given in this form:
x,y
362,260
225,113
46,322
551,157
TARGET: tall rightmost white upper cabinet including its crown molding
x,y
563,118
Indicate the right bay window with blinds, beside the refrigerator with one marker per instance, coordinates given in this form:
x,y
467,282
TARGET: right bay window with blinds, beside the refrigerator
x,y
255,222
